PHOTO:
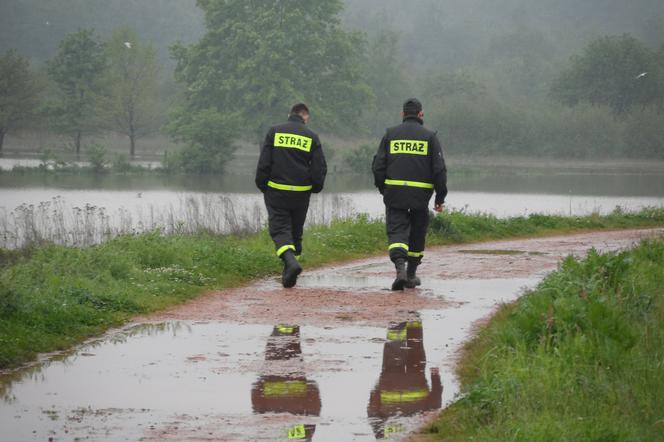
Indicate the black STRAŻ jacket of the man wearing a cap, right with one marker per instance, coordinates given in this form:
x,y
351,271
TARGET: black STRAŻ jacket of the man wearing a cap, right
x,y
411,160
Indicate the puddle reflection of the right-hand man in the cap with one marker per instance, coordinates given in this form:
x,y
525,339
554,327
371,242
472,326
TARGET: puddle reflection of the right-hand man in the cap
x,y
402,388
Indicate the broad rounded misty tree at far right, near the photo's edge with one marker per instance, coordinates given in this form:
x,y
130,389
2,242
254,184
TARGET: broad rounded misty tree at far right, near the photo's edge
x,y
616,71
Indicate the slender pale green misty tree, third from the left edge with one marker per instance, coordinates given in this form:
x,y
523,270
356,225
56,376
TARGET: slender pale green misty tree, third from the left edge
x,y
131,104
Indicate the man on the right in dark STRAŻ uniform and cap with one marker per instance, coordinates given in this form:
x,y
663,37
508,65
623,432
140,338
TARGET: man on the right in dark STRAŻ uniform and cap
x,y
407,169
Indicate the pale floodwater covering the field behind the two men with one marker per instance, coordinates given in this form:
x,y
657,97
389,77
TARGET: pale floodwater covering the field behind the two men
x,y
80,209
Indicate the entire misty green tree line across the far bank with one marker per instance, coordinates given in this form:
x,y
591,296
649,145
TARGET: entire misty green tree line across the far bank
x,y
256,58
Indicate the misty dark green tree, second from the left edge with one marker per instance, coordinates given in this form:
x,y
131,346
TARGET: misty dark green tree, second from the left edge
x,y
78,69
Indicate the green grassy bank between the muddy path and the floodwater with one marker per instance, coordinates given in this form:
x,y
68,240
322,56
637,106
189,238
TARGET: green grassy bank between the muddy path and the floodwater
x,y
52,297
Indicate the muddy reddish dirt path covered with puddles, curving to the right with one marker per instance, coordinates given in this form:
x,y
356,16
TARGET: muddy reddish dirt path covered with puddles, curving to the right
x,y
338,358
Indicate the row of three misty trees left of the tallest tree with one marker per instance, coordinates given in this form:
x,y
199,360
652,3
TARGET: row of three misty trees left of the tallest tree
x,y
88,87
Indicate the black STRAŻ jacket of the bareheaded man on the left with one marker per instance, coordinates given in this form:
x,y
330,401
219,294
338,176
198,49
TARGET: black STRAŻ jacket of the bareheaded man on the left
x,y
291,164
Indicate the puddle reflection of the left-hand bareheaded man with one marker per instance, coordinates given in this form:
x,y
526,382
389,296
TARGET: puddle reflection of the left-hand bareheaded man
x,y
283,386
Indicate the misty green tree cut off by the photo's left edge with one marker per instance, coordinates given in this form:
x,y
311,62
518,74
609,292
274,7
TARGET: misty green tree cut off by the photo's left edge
x,y
18,92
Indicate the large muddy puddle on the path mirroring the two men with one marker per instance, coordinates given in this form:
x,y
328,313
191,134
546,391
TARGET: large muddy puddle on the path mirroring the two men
x,y
233,381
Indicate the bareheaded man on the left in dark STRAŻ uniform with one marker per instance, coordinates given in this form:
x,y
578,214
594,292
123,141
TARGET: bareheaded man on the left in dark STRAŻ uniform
x,y
291,167
